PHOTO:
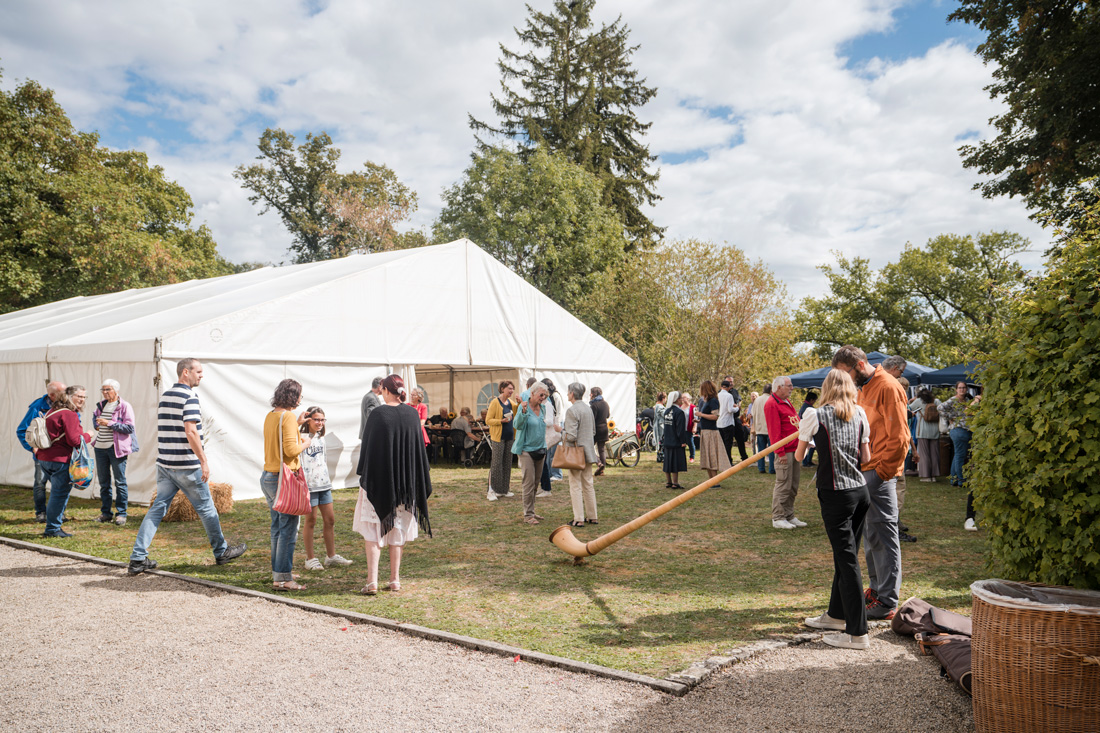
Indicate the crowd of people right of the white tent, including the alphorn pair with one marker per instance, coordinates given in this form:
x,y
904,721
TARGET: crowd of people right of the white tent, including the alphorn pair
x,y
864,429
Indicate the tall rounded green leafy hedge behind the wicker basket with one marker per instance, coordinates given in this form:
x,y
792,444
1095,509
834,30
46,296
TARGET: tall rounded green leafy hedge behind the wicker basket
x,y
1036,461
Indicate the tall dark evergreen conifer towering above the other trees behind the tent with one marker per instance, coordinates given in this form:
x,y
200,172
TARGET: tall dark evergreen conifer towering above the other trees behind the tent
x,y
575,92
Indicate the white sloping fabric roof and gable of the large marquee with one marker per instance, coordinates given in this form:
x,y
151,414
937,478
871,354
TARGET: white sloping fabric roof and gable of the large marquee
x,y
447,304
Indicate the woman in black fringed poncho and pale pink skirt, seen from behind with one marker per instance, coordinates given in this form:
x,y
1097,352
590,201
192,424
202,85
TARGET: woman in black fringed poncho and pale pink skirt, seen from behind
x,y
395,484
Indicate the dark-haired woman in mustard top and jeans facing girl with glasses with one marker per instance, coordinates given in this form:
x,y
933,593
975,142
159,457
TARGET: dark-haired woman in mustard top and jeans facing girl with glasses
x,y
283,445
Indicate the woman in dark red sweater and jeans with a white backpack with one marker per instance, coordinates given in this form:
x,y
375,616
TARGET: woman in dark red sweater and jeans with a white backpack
x,y
63,424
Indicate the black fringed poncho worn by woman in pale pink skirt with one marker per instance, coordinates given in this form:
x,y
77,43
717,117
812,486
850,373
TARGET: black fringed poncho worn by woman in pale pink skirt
x,y
393,465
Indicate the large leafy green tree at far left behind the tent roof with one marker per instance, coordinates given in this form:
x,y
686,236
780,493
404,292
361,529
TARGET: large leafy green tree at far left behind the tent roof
x,y
81,220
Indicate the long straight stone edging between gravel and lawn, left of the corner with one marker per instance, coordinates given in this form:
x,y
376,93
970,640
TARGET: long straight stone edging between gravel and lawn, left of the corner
x,y
672,686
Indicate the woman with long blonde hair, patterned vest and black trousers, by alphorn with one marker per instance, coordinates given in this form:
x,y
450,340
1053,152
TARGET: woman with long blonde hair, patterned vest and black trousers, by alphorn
x,y
842,434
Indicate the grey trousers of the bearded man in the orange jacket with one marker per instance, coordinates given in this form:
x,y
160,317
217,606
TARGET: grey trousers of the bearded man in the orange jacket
x,y
883,545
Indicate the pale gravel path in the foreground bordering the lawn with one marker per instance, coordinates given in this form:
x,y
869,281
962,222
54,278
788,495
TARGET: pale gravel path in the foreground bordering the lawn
x,y
87,649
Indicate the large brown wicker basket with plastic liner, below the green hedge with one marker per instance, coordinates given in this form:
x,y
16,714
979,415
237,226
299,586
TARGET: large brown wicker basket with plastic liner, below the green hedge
x,y
1037,659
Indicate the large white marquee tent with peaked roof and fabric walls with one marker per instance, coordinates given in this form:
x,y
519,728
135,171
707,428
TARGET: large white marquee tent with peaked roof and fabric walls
x,y
447,318
